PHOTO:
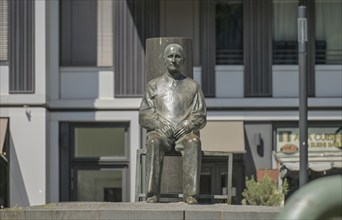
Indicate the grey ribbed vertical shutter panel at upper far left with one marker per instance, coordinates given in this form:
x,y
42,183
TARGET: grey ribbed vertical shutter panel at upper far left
x,y
21,46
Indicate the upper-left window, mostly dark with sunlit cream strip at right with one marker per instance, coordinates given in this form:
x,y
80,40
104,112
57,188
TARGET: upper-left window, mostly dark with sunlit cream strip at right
x,y
86,33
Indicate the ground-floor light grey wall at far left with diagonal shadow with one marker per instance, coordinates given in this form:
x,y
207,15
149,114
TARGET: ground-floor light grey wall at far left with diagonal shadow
x,y
27,150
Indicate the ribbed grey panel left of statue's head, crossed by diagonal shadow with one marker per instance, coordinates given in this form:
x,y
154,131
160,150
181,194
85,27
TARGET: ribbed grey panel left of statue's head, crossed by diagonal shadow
x,y
134,22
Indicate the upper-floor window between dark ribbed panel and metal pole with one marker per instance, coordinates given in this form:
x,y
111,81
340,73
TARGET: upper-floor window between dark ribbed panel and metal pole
x,y
285,32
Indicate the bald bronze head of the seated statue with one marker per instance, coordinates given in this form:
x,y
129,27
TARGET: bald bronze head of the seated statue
x,y
173,58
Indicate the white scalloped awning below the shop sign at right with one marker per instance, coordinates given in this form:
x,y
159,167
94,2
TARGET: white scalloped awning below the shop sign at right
x,y
317,161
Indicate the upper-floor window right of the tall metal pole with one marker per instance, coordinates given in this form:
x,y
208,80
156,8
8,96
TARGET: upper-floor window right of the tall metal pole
x,y
328,32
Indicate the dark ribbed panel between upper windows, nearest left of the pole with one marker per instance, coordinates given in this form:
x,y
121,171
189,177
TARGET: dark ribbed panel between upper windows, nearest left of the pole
x,y
258,47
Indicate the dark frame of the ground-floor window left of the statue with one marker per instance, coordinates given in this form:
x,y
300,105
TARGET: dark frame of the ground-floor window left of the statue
x,y
69,165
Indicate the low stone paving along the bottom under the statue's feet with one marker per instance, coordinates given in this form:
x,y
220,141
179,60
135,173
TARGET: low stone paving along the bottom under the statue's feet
x,y
138,210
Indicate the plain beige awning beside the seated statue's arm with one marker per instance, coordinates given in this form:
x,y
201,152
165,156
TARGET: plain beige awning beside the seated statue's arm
x,y
223,136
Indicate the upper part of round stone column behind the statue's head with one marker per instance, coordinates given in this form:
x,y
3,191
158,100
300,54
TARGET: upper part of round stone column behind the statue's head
x,y
154,56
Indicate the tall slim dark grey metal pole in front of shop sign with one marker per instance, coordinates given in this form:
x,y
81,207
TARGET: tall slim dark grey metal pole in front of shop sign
x,y
303,103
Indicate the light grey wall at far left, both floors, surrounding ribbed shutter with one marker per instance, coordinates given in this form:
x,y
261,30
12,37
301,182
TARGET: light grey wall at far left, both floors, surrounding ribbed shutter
x,y
27,126
